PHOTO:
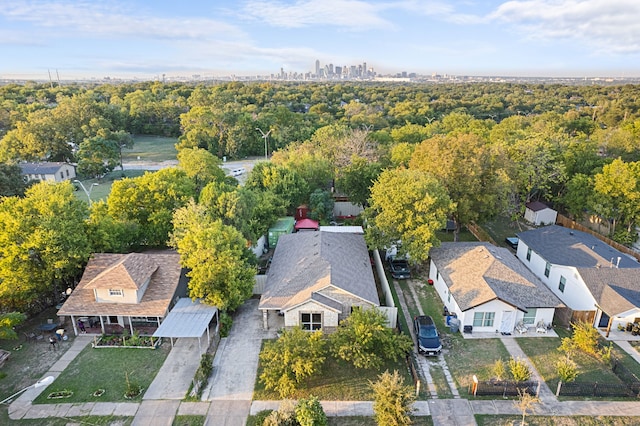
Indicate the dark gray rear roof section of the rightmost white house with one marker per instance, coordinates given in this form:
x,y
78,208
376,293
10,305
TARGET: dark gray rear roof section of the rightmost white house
x,y
563,246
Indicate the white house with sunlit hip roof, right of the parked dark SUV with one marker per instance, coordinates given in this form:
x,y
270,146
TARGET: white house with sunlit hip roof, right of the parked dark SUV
x,y
488,288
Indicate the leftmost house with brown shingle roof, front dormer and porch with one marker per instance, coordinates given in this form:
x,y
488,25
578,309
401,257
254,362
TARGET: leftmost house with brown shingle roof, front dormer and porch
x,y
126,290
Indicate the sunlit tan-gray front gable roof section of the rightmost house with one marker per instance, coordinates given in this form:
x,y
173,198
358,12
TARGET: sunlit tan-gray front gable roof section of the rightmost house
x,y
615,290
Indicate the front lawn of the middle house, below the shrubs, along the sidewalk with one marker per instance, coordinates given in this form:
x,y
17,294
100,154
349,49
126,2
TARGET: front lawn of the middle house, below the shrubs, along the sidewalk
x,y
337,381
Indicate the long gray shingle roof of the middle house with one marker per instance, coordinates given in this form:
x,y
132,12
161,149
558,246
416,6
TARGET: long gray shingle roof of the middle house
x,y
307,262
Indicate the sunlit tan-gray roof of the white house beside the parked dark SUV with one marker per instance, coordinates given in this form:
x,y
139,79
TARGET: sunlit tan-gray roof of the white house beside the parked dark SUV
x,y
477,273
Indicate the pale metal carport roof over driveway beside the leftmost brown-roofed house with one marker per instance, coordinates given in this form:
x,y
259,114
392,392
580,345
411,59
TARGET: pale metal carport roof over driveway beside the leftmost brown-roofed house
x,y
187,319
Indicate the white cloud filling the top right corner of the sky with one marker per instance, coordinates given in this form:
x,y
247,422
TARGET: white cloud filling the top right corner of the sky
x,y
608,26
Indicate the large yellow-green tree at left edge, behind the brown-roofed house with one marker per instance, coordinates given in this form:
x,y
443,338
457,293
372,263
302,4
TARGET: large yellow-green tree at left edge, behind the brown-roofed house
x,y
43,245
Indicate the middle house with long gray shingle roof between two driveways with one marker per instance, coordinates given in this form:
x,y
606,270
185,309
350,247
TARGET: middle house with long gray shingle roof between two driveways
x,y
316,278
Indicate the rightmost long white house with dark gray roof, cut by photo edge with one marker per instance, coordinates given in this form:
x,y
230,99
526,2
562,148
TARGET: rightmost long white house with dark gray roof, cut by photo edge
x,y
584,272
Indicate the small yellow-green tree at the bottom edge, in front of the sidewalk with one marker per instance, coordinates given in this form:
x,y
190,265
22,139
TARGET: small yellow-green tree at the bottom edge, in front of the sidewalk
x,y
392,400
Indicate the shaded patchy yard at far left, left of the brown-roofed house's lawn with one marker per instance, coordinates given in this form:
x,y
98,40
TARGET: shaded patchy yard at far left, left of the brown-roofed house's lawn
x,y
29,361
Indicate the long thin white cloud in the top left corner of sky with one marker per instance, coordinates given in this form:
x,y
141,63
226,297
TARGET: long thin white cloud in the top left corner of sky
x,y
109,20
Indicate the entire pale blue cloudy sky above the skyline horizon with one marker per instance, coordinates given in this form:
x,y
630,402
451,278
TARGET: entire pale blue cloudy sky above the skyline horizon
x,y
215,38
